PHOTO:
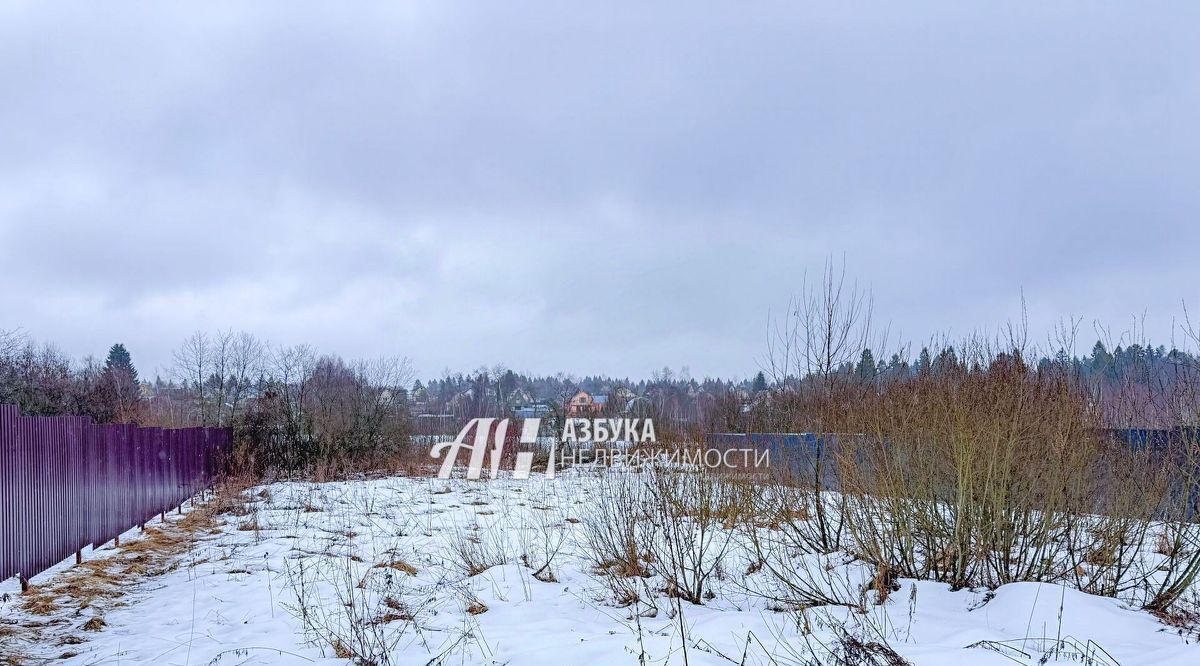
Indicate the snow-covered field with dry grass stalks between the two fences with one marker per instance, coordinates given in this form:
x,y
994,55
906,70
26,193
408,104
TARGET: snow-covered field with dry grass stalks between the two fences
x,y
418,572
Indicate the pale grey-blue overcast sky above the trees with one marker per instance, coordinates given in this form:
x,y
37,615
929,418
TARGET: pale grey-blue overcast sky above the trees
x,y
608,189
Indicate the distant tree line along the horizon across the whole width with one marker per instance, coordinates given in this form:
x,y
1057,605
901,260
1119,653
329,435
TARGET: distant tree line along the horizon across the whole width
x,y
227,379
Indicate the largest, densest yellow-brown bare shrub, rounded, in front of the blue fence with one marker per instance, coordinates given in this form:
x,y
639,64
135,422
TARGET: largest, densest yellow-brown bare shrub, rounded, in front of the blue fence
x,y
970,477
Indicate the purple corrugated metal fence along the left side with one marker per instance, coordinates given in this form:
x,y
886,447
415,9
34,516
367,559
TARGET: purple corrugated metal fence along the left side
x,y
67,483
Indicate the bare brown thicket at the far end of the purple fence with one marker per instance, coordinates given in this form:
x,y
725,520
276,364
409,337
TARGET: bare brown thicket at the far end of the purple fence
x,y
292,410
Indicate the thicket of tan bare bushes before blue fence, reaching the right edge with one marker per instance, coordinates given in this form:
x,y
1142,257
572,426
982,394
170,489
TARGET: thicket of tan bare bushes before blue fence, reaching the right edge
x,y
983,476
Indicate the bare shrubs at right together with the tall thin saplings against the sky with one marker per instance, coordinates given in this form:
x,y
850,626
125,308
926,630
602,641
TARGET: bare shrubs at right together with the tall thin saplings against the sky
x,y
974,469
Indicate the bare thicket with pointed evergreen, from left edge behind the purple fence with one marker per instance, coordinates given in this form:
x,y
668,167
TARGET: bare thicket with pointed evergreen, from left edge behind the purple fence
x,y
291,409
